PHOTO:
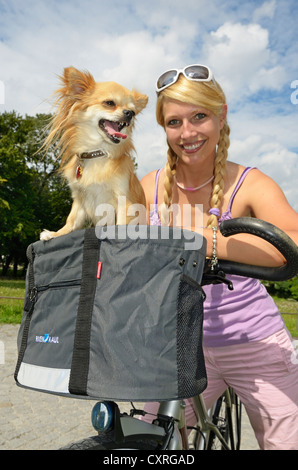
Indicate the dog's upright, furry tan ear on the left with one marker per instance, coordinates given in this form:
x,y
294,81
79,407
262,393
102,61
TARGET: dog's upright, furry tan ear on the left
x,y
77,82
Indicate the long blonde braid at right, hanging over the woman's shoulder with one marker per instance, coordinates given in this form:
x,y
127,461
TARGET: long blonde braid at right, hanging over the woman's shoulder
x,y
219,174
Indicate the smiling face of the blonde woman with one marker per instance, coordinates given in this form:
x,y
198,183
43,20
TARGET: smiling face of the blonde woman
x,y
192,131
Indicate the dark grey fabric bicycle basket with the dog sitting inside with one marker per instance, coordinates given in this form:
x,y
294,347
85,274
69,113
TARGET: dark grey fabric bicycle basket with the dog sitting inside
x,y
108,316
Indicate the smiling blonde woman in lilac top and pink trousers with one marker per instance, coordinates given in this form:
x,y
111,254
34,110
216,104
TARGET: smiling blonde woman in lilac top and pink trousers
x,y
246,344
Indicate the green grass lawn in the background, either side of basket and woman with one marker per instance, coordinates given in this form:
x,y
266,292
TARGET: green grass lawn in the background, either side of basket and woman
x,y
11,310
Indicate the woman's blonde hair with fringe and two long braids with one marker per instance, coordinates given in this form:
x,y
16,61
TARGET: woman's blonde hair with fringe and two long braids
x,y
209,96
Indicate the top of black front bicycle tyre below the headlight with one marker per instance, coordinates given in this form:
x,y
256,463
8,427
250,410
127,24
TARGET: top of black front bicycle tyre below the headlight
x,y
103,442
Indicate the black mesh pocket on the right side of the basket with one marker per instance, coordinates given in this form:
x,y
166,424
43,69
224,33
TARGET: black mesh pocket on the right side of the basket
x,y
191,365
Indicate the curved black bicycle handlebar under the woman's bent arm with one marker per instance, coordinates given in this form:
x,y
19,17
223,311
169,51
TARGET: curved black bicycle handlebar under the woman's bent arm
x,y
271,234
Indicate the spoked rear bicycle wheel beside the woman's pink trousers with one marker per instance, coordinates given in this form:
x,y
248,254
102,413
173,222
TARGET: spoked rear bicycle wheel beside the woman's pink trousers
x,y
227,416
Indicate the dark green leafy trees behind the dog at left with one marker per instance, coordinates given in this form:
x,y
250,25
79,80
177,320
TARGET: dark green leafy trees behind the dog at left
x,y
33,196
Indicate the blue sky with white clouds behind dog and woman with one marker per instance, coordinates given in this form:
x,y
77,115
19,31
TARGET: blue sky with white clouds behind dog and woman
x,y
251,46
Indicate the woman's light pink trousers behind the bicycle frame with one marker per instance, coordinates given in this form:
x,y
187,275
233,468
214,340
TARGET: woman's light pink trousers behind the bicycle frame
x,y
264,374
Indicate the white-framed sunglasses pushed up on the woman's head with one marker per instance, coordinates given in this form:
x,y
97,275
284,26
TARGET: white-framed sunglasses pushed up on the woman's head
x,y
196,73
